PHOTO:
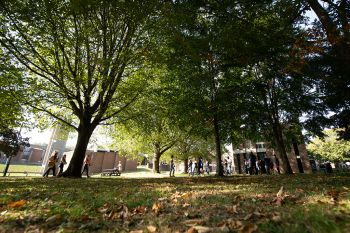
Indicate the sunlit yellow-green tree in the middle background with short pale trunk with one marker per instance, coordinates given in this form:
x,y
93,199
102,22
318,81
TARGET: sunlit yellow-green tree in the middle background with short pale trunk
x,y
152,128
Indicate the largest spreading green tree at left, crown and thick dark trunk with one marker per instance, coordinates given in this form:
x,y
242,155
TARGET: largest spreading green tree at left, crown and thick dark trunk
x,y
81,57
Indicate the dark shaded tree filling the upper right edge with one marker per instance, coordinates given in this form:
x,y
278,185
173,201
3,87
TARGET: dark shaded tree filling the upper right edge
x,y
330,37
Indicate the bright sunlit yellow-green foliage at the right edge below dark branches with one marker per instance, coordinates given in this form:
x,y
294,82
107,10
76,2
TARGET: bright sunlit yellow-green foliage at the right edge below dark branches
x,y
330,148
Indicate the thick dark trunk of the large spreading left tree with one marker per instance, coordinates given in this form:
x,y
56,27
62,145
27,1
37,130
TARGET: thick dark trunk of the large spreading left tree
x,y
76,163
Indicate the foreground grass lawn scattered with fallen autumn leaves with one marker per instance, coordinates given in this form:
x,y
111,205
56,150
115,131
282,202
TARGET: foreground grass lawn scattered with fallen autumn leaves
x,y
307,203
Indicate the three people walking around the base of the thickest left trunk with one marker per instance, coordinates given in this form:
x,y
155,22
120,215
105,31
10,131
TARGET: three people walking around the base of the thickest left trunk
x,y
53,160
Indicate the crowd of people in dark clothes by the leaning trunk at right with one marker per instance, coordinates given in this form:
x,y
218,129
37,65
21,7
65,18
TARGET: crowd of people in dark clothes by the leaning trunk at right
x,y
254,165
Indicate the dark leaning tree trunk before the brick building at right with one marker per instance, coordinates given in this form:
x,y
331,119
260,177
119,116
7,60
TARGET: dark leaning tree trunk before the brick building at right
x,y
281,148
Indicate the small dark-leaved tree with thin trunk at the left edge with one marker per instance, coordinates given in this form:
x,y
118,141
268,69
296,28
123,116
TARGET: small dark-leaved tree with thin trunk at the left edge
x,y
11,142
